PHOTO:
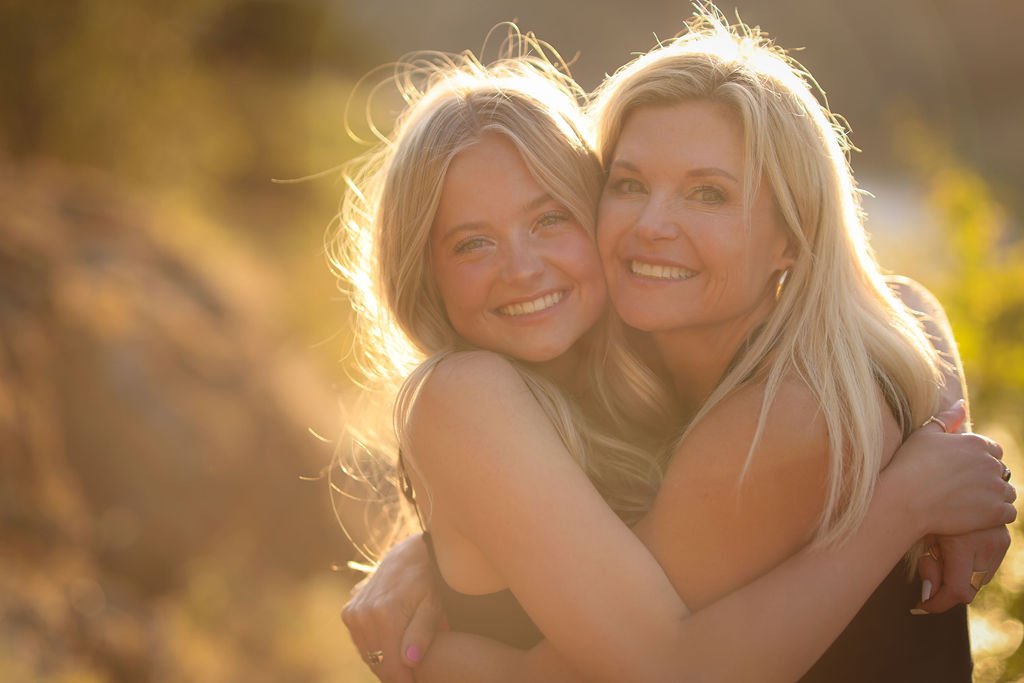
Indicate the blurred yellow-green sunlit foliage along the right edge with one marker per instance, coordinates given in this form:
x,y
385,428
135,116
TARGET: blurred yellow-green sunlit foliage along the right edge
x,y
973,259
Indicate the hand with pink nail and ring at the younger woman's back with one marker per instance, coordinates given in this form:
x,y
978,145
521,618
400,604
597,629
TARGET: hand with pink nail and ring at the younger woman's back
x,y
396,612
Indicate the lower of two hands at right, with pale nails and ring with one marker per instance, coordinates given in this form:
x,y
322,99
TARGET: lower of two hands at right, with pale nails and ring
x,y
959,557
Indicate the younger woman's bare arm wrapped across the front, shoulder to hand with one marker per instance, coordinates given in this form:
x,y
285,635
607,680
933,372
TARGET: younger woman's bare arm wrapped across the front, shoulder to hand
x,y
500,482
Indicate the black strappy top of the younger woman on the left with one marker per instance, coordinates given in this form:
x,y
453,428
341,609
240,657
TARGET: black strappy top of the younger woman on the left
x,y
497,616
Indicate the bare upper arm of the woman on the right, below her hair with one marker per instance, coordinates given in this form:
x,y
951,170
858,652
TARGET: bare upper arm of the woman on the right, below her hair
x,y
726,515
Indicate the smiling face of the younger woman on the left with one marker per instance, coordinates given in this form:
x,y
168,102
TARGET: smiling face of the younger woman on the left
x,y
518,273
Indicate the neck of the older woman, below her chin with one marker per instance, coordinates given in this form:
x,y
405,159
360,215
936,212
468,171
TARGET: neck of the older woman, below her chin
x,y
698,357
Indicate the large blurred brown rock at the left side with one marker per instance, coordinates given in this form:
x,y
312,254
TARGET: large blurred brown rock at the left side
x,y
149,422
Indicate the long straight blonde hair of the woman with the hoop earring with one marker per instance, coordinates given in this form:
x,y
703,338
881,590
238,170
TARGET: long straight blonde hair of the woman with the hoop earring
x,y
837,326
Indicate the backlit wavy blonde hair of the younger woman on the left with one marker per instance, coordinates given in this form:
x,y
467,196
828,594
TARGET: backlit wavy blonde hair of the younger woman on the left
x,y
382,250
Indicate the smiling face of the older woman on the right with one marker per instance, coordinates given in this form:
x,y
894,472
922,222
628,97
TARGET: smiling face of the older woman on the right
x,y
677,248
